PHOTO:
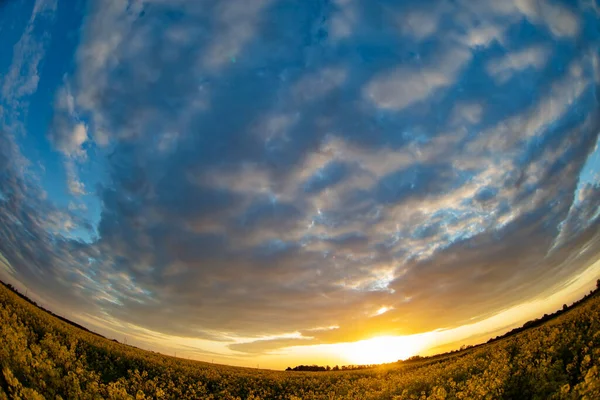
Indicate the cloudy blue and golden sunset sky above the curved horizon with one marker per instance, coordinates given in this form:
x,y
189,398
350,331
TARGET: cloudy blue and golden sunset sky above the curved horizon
x,y
275,182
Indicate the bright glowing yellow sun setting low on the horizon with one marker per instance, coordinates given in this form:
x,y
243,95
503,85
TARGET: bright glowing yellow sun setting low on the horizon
x,y
384,349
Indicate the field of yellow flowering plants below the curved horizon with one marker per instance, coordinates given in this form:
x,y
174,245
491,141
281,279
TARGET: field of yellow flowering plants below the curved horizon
x,y
44,357
